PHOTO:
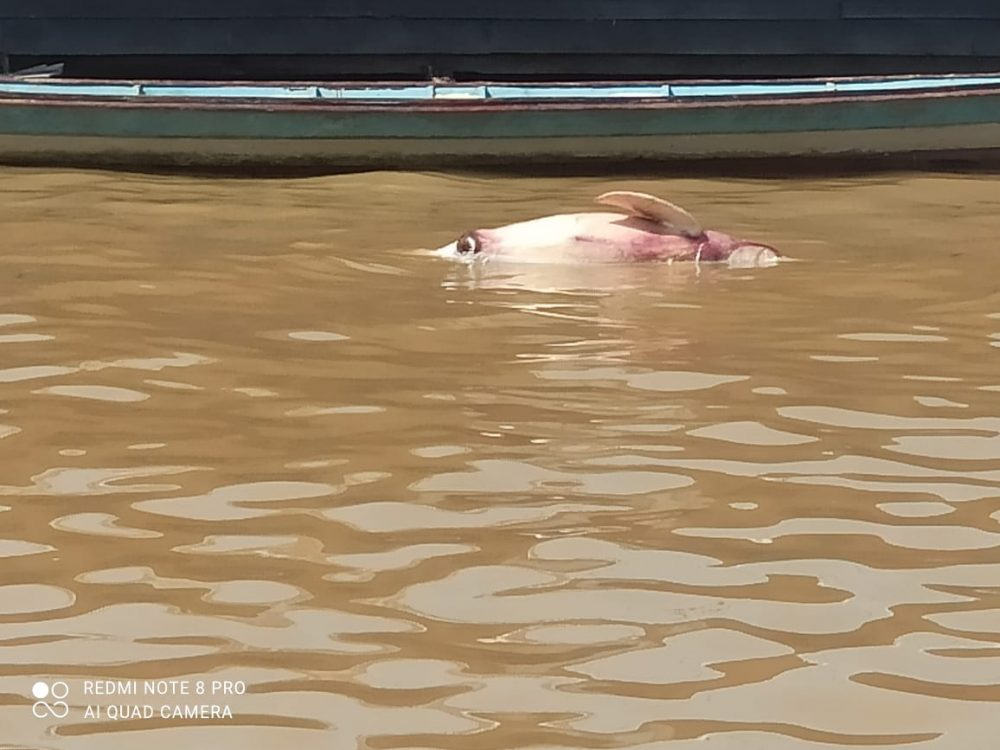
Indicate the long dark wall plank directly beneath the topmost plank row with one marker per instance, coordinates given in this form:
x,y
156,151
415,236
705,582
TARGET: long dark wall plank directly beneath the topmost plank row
x,y
480,37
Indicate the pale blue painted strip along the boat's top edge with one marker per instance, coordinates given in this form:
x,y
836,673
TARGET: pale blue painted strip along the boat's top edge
x,y
483,92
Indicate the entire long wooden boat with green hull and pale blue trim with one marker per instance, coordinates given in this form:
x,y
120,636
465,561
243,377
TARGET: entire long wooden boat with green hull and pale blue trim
x,y
149,124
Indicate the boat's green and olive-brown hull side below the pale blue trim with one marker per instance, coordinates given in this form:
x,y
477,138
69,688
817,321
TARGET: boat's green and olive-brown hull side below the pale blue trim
x,y
218,131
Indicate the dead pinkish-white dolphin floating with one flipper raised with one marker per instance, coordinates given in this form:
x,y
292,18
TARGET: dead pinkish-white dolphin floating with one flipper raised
x,y
645,228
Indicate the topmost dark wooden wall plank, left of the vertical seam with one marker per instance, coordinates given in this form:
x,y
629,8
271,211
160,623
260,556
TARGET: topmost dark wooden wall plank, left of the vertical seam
x,y
450,9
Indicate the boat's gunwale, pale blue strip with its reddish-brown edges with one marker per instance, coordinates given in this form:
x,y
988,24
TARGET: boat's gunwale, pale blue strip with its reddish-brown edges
x,y
281,95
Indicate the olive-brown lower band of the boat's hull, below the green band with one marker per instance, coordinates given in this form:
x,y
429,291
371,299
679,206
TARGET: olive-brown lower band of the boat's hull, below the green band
x,y
974,144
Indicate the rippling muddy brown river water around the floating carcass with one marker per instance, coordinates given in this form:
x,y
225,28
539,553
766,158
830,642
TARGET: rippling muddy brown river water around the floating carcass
x,y
249,434
